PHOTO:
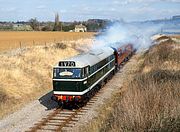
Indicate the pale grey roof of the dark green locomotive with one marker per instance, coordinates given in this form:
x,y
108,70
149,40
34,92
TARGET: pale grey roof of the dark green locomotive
x,y
92,57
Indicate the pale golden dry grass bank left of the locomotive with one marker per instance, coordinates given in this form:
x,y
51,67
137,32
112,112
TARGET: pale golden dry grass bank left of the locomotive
x,y
26,73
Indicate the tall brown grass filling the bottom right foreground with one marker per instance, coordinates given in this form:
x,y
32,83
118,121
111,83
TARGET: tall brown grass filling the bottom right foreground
x,y
150,104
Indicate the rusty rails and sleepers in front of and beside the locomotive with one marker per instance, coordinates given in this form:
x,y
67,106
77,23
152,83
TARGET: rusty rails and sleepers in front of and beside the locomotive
x,y
63,119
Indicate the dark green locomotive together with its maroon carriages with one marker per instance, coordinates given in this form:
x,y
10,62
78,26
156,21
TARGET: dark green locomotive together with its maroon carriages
x,y
77,79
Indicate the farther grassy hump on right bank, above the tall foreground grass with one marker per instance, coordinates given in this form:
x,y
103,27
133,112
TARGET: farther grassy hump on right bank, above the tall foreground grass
x,y
163,56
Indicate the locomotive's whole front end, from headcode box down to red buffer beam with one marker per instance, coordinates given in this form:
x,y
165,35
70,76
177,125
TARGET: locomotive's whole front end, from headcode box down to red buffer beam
x,y
69,81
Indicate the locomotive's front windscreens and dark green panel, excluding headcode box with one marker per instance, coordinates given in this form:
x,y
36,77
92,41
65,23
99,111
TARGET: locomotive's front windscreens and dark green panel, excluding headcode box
x,y
70,79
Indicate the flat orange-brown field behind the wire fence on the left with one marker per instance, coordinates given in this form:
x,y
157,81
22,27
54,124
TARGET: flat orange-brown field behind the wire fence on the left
x,y
11,40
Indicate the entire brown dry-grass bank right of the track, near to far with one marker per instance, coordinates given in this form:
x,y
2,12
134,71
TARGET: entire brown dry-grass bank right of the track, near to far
x,y
152,101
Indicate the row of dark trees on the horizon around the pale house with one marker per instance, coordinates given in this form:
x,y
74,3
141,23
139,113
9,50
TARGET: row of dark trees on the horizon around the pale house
x,y
92,25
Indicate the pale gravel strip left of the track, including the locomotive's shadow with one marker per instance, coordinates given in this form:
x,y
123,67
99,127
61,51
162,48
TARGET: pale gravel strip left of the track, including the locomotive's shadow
x,y
28,115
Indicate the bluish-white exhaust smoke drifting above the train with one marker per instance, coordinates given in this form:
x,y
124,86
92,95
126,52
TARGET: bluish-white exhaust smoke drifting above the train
x,y
119,34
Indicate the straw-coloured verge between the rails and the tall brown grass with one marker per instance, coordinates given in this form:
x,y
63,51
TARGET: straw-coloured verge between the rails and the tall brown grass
x,y
96,117
